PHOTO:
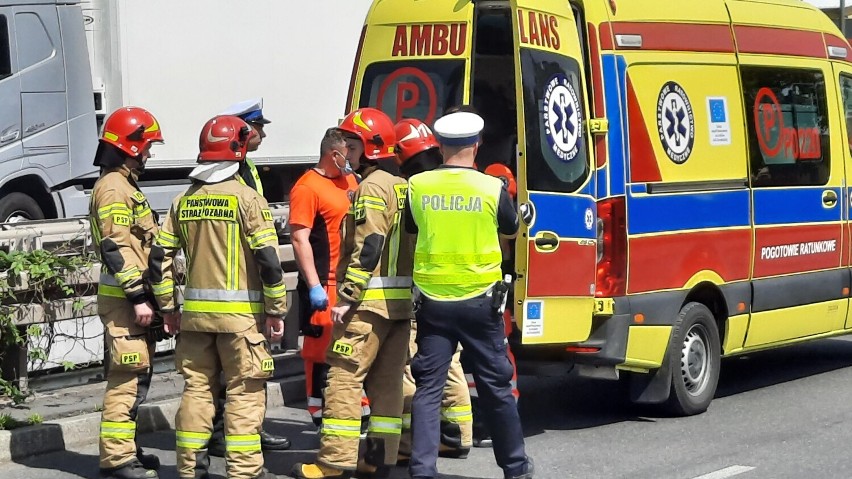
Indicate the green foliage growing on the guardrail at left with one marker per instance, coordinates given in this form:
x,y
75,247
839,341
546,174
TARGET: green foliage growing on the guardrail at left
x,y
35,277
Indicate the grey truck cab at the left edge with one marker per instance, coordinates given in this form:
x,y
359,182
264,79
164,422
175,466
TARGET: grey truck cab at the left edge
x,y
47,118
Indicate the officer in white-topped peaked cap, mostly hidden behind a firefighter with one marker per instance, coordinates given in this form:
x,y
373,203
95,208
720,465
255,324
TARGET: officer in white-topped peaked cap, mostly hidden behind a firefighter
x,y
250,111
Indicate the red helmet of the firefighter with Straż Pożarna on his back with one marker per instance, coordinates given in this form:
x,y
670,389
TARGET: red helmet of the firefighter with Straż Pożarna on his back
x,y
224,138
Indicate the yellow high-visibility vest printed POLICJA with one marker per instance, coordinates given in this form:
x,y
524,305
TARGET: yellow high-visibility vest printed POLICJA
x,y
458,249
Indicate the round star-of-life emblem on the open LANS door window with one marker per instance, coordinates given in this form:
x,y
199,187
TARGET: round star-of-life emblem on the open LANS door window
x,y
563,122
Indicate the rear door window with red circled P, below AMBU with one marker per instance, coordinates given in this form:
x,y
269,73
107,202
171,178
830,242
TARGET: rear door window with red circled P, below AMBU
x,y
421,90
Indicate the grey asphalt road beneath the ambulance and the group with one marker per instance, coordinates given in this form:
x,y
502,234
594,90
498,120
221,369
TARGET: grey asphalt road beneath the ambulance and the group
x,y
778,414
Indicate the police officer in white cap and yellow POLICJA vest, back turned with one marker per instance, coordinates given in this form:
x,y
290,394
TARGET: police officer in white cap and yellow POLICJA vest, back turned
x,y
458,212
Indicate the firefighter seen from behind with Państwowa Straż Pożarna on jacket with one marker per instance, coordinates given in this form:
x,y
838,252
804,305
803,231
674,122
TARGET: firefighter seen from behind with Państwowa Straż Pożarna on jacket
x,y
234,282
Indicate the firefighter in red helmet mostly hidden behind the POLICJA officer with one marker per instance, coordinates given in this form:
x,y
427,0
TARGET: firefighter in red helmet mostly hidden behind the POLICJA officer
x,y
418,151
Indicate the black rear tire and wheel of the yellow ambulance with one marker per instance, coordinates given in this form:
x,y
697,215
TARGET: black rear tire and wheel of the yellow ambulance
x,y
694,356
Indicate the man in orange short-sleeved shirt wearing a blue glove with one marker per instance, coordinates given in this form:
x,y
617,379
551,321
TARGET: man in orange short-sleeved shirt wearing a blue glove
x,y
319,202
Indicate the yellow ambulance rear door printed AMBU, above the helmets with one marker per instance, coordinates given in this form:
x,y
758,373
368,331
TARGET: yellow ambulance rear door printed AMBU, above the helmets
x,y
414,58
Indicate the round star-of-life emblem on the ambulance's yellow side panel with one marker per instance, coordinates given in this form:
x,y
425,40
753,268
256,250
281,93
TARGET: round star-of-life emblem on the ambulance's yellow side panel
x,y
675,122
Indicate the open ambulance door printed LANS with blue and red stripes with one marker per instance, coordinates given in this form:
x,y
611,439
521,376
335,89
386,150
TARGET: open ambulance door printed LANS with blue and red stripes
x,y
556,250
